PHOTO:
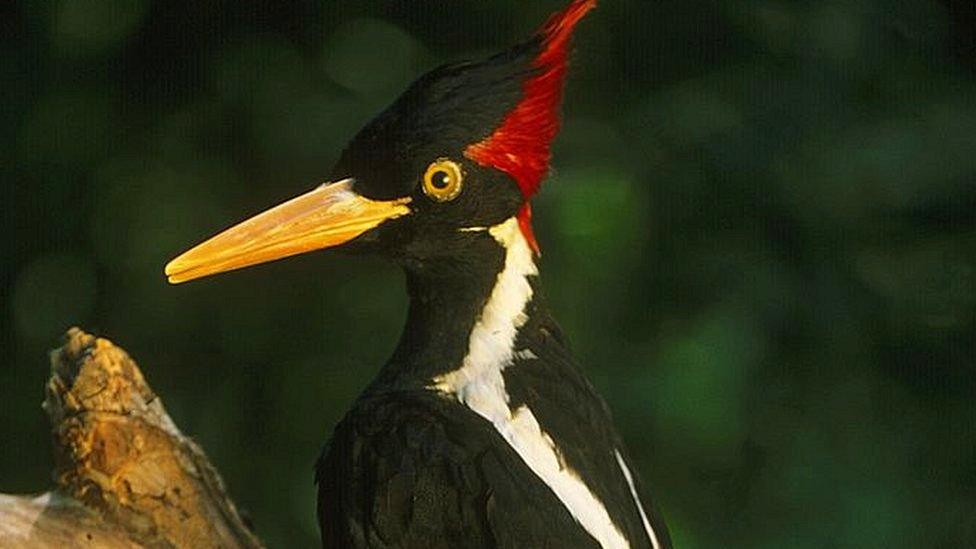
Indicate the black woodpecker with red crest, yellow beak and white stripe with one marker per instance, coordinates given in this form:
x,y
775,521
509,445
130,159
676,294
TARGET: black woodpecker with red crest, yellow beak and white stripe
x,y
481,430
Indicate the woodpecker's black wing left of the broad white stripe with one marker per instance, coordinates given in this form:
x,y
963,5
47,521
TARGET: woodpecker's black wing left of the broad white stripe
x,y
416,470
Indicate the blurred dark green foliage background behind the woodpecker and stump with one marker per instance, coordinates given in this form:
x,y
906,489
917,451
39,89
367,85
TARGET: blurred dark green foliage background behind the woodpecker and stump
x,y
760,236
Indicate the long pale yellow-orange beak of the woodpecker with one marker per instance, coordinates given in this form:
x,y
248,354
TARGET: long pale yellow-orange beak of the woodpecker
x,y
328,216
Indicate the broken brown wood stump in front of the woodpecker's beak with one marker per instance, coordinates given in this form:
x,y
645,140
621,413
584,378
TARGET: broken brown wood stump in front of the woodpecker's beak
x,y
125,475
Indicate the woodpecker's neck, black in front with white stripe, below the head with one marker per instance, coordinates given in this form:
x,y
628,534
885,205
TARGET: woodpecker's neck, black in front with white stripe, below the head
x,y
467,309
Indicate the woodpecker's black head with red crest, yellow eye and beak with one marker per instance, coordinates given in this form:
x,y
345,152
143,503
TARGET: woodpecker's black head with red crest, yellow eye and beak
x,y
464,149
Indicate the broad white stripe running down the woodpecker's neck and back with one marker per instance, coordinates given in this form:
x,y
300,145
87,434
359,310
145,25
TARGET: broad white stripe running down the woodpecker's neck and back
x,y
480,386
